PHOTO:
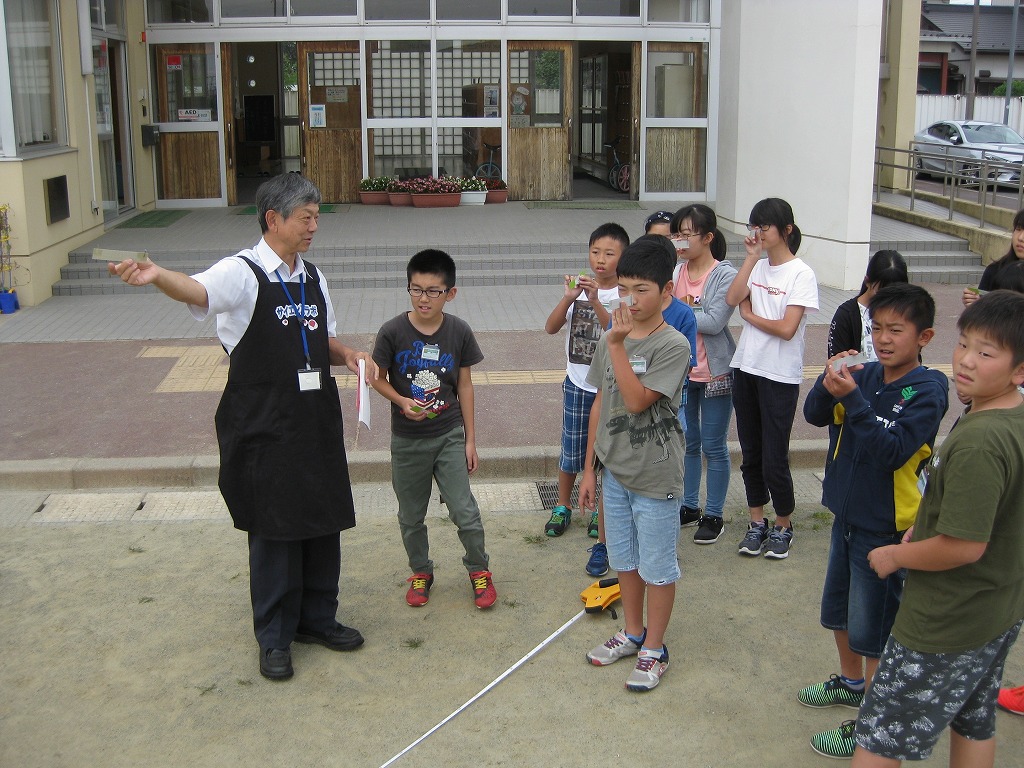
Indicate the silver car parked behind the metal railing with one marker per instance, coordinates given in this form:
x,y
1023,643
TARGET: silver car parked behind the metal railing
x,y
944,145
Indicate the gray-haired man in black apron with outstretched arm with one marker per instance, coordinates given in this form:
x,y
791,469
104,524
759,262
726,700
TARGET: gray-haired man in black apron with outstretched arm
x,y
284,474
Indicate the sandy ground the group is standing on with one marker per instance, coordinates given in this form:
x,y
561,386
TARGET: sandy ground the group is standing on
x,y
131,644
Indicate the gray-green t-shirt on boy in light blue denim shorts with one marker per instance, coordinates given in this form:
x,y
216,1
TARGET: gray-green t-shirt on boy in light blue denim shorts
x,y
645,451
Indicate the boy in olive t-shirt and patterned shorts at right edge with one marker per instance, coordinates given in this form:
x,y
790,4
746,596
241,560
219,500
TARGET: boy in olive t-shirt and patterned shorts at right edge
x,y
964,602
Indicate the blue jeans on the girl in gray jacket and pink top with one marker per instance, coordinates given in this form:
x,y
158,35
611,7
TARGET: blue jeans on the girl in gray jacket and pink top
x,y
707,429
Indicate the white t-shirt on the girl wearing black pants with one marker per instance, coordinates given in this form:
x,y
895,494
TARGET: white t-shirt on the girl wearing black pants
x,y
774,289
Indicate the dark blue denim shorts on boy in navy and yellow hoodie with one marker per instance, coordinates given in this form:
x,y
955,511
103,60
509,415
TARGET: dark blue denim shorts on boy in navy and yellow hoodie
x,y
855,599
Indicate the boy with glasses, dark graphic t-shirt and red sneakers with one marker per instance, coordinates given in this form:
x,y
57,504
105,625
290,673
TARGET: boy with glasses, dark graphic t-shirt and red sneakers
x,y
428,356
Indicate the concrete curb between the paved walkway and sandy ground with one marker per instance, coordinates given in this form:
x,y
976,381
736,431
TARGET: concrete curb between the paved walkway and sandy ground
x,y
364,466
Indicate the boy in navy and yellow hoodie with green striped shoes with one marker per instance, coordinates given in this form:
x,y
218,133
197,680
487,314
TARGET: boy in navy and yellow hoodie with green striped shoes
x,y
888,414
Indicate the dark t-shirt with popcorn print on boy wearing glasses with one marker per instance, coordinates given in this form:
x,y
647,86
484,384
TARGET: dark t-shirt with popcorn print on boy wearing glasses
x,y
426,369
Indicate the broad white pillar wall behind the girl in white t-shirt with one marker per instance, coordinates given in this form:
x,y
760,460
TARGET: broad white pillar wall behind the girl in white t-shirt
x,y
799,105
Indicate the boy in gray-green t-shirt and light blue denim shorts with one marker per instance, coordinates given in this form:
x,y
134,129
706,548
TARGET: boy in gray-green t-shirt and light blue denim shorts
x,y
636,441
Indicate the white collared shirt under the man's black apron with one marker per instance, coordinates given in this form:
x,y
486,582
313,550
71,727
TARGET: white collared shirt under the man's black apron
x,y
232,289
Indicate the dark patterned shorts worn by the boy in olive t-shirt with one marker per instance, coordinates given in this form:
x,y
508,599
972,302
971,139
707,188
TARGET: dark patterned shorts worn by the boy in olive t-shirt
x,y
914,697
